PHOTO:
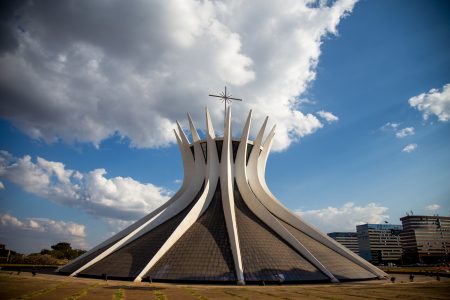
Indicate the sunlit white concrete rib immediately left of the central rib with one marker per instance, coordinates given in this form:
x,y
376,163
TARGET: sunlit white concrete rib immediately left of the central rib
x,y
211,179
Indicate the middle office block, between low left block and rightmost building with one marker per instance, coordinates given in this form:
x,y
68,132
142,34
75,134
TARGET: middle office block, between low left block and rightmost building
x,y
380,243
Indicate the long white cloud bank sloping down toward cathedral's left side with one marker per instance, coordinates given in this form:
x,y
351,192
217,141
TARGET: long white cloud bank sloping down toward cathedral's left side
x,y
118,197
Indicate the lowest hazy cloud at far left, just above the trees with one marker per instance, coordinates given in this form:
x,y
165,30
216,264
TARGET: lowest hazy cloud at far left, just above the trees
x,y
34,234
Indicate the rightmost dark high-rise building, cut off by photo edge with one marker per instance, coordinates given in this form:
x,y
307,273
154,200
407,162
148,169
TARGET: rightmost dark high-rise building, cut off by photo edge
x,y
425,239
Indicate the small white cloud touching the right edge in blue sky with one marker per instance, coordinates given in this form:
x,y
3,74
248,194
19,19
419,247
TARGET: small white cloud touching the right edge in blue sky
x,y
435,102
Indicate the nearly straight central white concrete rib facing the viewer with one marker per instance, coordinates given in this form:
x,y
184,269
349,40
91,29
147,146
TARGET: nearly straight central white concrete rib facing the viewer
x,y
226,186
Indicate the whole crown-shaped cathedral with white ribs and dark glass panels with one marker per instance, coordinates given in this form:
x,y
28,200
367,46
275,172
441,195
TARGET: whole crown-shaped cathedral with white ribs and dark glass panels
x,y
223,225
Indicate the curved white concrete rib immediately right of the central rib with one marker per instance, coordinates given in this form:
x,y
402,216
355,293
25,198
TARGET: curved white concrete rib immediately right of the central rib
x,y
258,209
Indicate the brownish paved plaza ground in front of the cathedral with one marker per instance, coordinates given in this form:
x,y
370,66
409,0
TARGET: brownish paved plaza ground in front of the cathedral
x,y
42,286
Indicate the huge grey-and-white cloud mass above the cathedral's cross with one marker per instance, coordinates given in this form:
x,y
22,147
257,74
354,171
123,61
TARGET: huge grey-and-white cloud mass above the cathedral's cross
x,y
88,76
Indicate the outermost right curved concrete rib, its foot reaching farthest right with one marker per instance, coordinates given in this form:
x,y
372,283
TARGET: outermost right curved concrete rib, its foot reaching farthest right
x,y
257,181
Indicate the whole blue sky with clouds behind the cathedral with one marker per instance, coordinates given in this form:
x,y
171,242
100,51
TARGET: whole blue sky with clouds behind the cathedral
x,y
361,137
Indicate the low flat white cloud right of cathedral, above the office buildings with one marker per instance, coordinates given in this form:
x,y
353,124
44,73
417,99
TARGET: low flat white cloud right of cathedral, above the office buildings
x,y
345,218
